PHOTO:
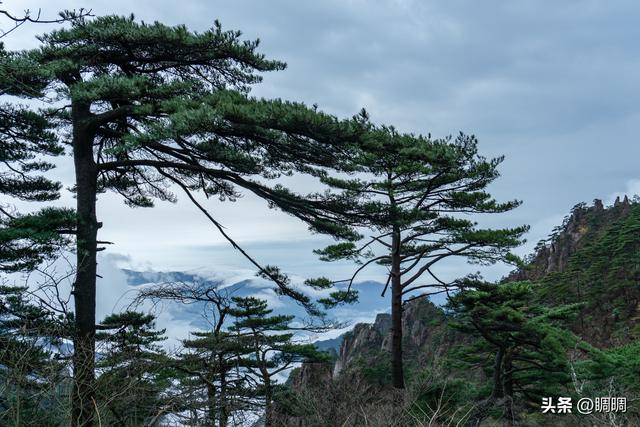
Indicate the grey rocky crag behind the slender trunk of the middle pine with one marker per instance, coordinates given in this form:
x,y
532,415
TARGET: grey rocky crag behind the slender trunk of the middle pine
x,y
359,378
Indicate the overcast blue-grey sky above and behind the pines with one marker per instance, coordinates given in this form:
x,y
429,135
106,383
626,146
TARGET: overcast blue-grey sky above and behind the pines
x,y
553,86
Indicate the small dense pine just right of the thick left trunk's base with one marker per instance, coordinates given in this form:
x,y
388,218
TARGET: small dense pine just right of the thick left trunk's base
x,y
133,372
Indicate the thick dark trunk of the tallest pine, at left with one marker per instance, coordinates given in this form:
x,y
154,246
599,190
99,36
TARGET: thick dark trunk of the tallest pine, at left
x,y
84,292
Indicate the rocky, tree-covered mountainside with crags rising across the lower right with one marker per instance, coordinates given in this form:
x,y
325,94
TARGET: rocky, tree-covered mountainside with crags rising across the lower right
x,y
589,266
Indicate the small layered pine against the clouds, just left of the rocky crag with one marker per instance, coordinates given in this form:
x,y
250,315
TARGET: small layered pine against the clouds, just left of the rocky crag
x,y
270,347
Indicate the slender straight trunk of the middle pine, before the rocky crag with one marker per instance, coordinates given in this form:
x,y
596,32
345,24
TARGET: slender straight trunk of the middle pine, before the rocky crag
x,y
396,312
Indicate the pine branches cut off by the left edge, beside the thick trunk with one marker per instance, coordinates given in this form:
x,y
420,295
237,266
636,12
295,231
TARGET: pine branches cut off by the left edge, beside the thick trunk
x,y
25,138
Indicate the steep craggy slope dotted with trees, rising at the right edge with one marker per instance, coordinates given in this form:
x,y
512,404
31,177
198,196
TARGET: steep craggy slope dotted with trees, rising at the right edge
x,y
602,276
